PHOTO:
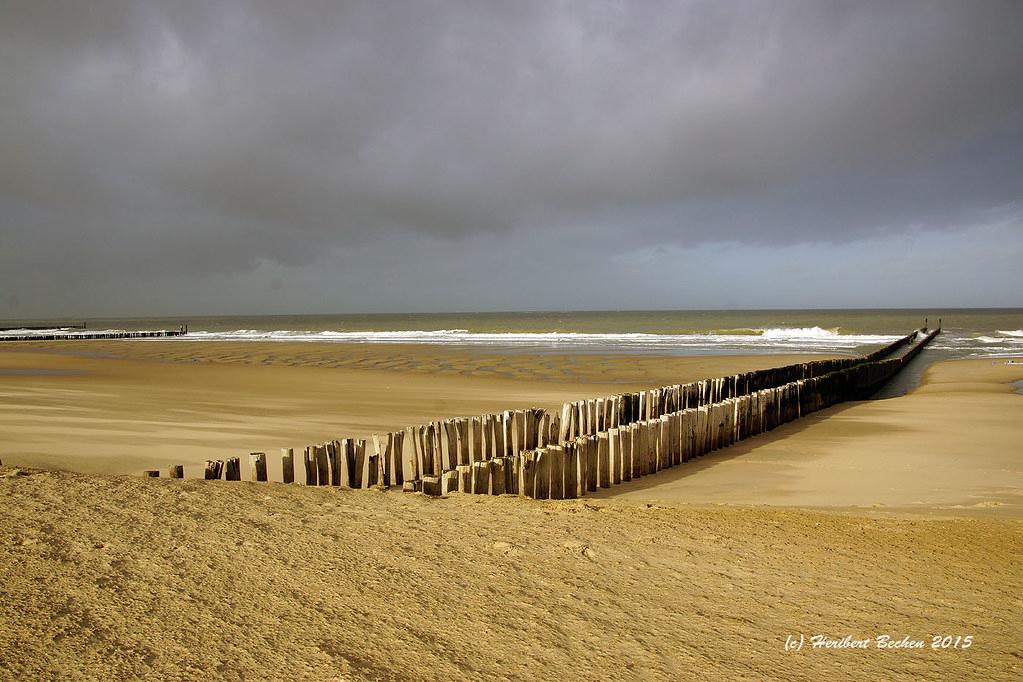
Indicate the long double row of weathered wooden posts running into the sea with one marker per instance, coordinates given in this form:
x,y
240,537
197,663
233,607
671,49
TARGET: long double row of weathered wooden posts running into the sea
x,y
592,444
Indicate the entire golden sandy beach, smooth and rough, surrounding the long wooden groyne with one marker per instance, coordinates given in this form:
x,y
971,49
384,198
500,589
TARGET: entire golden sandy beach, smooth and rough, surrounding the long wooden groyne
x,y
896,518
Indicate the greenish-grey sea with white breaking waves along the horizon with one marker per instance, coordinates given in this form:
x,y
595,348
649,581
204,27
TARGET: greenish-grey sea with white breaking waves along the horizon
x,y
966,333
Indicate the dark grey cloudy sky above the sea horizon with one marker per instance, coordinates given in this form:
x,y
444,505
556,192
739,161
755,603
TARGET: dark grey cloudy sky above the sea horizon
x,y
247,158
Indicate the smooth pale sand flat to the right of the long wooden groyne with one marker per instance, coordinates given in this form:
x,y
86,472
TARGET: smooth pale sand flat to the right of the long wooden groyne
x,y
953,447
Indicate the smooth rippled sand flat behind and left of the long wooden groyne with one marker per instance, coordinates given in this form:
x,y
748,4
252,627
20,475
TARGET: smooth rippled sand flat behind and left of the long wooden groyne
x,y
117,407
